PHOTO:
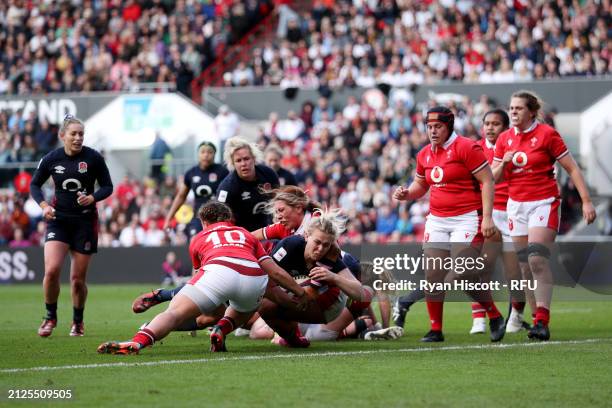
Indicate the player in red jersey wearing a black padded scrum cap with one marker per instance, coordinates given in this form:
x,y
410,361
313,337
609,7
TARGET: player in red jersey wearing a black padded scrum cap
x,y
454,168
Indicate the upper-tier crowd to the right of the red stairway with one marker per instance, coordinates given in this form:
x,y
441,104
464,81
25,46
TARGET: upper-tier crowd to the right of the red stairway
x,y
408,42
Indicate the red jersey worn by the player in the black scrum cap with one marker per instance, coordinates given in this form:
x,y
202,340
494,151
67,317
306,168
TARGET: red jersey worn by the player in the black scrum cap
x,y
449,171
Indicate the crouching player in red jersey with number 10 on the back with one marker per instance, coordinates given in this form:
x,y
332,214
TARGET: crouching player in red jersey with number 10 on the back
x,y
232,266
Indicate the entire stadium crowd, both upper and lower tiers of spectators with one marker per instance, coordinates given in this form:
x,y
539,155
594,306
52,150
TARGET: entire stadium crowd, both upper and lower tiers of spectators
x,y
362,149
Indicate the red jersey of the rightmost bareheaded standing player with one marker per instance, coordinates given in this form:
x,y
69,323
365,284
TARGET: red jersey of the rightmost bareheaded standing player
x,y
531,175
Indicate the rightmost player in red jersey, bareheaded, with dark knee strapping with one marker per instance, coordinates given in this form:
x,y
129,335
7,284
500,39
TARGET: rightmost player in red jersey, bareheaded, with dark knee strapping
x,y
525,156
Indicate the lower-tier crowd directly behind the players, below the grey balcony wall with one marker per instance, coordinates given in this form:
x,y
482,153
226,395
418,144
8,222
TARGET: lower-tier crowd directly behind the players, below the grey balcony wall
x,y
350,156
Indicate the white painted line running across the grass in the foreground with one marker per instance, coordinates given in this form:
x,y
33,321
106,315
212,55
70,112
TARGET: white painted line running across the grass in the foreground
x,y
302,355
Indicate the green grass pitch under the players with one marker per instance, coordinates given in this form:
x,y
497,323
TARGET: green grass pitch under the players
x,y
572,370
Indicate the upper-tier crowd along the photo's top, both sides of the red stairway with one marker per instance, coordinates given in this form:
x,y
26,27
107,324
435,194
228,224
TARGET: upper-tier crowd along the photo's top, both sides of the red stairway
x,y
117,45
